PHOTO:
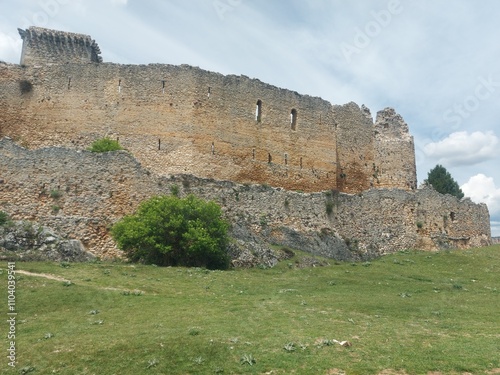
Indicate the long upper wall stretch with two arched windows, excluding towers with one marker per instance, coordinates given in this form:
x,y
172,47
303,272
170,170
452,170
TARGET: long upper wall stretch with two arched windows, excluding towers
x,y
176,119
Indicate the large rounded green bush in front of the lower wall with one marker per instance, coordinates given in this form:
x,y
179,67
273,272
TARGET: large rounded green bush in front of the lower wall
x,y
173,231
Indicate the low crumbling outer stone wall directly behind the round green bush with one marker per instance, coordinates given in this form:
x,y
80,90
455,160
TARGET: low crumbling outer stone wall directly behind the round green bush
x,y
95,190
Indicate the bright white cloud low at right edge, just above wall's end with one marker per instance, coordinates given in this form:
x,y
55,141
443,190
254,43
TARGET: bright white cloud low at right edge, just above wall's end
x,y
482,189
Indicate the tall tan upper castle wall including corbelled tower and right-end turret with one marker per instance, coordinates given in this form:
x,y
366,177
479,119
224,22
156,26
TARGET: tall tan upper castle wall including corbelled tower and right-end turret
x,y
182,119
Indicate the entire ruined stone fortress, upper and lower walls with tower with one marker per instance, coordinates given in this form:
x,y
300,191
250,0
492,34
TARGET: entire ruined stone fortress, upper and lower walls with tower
x,y
354,177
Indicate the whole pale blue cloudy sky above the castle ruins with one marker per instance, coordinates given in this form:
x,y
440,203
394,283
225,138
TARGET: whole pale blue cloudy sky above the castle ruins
x,y
434,61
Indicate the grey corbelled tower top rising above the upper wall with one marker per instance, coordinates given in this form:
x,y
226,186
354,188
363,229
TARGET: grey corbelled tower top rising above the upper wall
x,y
42,46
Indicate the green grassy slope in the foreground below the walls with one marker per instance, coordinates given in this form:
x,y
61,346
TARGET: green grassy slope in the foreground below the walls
x,y
406,313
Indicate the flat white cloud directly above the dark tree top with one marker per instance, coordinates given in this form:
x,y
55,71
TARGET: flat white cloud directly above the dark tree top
x,y
462,148
